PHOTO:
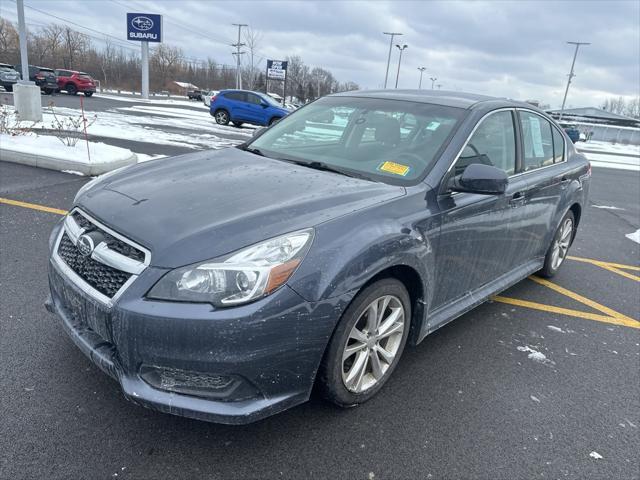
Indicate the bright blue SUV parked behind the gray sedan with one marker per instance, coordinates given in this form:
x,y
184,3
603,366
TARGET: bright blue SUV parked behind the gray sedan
x,y
241,106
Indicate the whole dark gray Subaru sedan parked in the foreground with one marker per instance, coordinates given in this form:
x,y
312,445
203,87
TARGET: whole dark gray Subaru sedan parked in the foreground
x,y
225,285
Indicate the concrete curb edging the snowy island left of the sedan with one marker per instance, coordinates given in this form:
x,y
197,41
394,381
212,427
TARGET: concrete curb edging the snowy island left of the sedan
x,y
53,163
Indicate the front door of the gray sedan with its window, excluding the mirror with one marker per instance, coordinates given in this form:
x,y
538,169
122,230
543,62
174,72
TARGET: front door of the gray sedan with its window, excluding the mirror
x,y
475,242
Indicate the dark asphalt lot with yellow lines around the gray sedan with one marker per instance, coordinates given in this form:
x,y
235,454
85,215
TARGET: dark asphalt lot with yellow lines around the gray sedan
x,y
542,382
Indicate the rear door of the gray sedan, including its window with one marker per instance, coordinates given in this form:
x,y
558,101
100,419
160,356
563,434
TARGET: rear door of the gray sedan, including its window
x,y
544,169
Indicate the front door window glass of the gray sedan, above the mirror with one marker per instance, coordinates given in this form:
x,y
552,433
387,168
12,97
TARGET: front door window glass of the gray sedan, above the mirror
x,y
493,143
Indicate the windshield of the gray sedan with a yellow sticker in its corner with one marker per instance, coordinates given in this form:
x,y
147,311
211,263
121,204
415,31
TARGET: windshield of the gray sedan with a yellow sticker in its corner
x,y
392,141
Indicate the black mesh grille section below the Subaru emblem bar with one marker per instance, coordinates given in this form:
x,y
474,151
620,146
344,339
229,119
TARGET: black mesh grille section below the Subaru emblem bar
x,y
103,278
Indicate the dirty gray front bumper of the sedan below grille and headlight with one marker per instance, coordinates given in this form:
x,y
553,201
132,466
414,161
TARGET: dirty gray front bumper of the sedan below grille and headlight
x,y
274,345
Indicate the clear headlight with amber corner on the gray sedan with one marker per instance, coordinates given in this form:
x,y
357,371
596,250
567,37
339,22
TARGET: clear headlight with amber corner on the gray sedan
x,y
251,273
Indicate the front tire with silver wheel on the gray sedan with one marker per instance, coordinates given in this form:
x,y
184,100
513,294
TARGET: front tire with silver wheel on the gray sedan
x,y
339,378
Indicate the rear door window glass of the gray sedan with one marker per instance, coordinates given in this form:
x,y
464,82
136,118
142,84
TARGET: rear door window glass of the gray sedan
x,y
538,141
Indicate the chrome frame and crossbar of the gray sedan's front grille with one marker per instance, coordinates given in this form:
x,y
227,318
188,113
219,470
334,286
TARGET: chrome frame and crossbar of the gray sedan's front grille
x,y
79,281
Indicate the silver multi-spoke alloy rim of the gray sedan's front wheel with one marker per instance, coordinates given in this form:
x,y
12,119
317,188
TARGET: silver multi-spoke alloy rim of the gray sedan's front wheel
x,y
373,344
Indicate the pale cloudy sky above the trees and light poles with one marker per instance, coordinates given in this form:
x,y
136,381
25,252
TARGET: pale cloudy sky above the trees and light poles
x,y
514,49
